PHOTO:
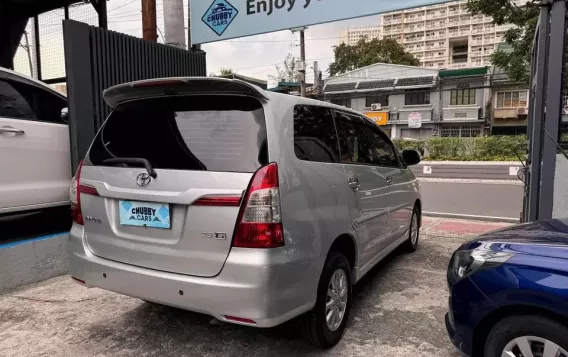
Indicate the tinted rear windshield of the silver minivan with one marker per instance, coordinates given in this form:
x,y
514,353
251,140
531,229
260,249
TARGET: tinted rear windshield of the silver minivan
x,y
206,133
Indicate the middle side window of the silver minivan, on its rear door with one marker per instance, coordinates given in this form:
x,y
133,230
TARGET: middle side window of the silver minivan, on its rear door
x,y
356,141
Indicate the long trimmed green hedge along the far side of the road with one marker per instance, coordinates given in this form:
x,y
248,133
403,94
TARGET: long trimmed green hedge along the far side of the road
x,y
491,148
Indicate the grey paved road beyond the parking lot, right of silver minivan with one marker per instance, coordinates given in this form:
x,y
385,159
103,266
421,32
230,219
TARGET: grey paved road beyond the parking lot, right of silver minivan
x,y
483,199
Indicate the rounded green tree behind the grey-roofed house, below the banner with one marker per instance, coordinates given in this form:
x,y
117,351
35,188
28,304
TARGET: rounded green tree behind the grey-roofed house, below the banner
x,y
366,53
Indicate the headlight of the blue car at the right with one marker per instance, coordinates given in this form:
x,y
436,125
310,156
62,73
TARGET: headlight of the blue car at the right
x,y
465,262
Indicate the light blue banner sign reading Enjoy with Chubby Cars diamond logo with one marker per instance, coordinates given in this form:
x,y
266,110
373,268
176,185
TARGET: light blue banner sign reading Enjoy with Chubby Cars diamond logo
x,y
216,20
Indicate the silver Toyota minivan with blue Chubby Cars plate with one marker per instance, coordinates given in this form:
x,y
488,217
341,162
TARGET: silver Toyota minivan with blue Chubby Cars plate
x,y
215,196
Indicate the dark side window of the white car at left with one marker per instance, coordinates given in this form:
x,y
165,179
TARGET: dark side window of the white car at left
x,y
22,101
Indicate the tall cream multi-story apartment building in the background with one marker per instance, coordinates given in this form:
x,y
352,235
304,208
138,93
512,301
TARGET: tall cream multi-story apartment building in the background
x,y
440,36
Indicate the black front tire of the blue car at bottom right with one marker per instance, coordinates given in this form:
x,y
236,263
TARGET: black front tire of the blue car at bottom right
x,y
535,329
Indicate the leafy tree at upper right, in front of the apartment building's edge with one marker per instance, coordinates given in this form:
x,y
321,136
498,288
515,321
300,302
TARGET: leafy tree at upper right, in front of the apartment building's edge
x,y
515,61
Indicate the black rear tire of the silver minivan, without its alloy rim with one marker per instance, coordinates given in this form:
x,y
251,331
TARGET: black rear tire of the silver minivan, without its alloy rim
x,y
315,328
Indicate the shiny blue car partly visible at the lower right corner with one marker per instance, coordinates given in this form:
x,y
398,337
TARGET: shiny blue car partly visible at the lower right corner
x,y
509,292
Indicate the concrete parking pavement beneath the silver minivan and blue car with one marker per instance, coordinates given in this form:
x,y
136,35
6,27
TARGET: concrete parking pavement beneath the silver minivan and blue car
x,y
398,310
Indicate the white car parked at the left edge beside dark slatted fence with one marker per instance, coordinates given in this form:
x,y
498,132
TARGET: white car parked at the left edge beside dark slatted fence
x,y
35,158
